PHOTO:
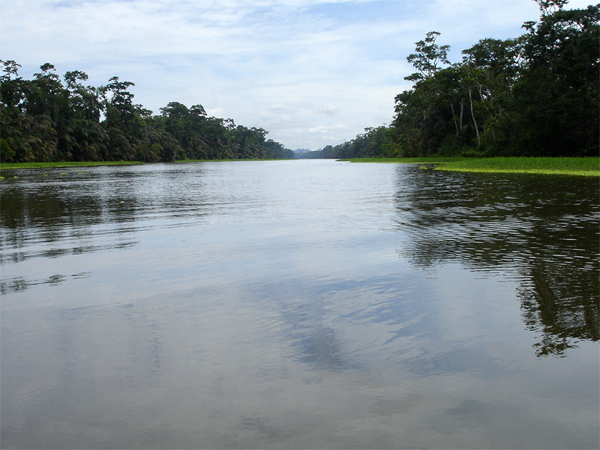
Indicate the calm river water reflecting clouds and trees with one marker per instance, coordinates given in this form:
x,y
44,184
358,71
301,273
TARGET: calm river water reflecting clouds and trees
x,y
298,304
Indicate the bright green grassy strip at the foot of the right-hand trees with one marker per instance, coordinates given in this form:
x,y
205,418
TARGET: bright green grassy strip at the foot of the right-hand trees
x,y
589,166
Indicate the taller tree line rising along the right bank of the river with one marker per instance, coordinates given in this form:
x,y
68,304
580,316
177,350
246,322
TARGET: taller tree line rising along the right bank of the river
x,y
535,95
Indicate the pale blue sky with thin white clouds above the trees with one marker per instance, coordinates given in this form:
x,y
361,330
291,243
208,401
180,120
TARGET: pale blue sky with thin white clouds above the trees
x,y
310,72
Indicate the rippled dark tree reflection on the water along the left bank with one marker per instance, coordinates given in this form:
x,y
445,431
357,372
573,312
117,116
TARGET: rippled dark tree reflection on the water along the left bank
x,y
51,213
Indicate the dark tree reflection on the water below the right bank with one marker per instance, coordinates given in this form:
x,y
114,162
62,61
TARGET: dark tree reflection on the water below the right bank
x,y
541,231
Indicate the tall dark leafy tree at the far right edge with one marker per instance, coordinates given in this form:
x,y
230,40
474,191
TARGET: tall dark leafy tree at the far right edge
x,y
558,92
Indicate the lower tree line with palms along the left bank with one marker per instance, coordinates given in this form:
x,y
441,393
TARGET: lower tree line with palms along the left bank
x,y
49,119
